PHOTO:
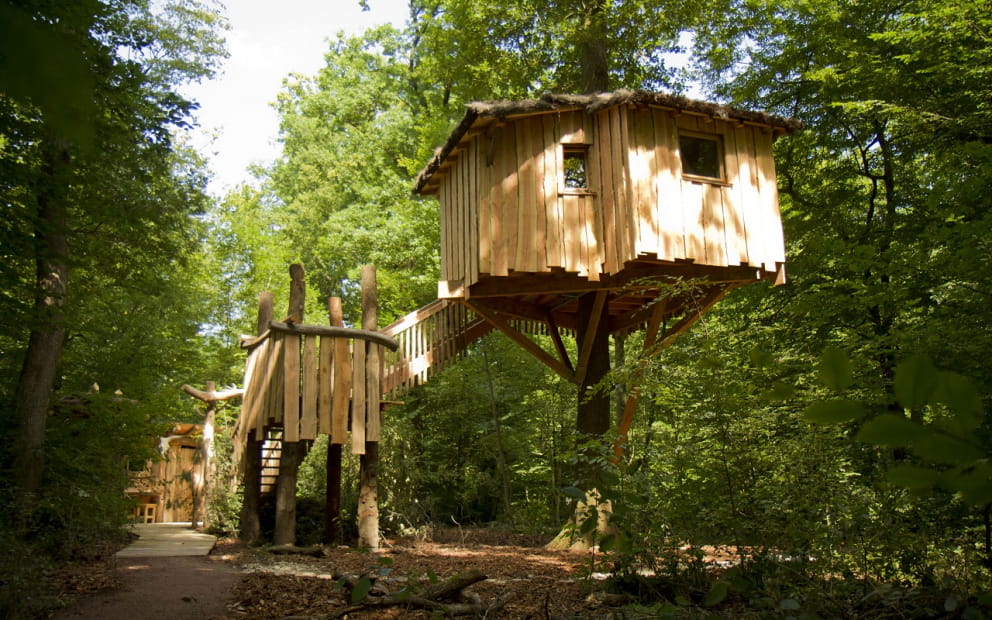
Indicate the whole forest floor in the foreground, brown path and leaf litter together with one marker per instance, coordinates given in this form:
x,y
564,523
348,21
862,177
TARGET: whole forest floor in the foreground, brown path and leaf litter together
x,y
522,580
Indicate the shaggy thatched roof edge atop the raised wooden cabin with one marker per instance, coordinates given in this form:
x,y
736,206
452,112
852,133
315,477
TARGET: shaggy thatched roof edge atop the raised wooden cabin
x,y
590,104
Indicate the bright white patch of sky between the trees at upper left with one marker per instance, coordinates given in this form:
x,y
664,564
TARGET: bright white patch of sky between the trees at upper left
x,y
268,40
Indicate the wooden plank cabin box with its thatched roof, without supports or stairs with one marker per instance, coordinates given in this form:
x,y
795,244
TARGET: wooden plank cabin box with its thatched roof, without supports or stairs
x,y
580,187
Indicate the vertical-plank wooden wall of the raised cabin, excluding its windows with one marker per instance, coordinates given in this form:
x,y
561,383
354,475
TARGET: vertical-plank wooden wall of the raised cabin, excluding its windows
x,y
504,207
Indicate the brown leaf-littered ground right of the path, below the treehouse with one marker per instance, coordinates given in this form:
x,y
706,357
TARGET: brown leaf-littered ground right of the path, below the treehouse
x,y
534,582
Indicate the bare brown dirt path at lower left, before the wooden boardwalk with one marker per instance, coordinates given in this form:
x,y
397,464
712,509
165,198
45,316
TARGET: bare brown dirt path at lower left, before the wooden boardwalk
x,y
162,588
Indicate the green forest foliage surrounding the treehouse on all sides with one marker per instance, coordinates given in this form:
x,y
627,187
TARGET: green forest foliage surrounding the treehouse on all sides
x,y
827,437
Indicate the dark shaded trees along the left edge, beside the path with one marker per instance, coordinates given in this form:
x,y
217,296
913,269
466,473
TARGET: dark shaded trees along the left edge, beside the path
x,y
104,280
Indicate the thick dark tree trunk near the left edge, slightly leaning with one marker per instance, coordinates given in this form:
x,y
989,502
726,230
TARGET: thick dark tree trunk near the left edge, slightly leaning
x,y
41,361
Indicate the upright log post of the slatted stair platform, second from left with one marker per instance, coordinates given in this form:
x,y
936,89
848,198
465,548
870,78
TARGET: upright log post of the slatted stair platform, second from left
x,y
292,451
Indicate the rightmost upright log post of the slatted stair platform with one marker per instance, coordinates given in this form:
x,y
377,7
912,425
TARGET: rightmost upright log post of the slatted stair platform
x,y
368,506
